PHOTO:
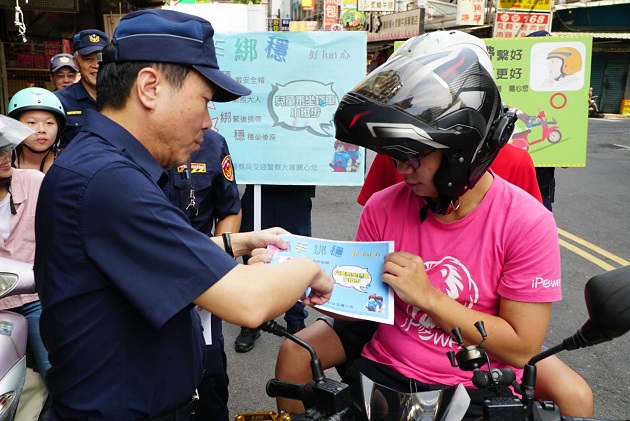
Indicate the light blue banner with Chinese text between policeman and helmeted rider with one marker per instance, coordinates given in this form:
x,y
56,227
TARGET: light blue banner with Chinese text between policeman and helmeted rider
x,y
283,133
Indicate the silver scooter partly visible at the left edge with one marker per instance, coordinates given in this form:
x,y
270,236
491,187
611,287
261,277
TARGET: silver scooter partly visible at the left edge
x,y
15,278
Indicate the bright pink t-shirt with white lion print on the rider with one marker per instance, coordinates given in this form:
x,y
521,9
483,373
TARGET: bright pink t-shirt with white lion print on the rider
x,y
506,247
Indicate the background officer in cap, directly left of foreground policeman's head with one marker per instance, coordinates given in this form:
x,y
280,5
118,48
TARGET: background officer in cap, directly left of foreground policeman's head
x,y
81,96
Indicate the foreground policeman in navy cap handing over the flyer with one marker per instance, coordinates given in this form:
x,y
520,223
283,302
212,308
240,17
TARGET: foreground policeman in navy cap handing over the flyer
x,y
121,269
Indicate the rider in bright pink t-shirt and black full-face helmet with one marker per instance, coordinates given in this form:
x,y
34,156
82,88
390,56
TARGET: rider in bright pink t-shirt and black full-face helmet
x,y
461,232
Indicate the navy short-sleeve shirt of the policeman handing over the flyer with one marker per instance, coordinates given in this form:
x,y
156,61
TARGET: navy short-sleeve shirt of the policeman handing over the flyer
x,y
117,268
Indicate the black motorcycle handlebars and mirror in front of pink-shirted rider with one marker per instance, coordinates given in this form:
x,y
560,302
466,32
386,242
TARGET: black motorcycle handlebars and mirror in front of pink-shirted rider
x,y
607,299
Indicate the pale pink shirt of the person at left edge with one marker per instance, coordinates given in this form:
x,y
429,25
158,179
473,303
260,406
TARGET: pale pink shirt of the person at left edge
x,y
20,245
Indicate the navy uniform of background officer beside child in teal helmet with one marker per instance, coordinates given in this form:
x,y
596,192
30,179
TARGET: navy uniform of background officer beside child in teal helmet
x,y
76,101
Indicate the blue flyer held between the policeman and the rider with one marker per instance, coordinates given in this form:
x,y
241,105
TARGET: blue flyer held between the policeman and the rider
x,y
355,267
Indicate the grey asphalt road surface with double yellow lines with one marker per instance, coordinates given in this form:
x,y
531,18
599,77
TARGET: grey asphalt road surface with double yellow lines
x,y
591,210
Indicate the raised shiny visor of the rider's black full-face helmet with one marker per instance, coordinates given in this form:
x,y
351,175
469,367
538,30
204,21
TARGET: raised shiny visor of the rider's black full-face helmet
x,y
422,88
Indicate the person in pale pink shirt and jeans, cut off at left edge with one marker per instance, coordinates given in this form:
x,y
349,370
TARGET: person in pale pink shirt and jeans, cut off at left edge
x,y
19,191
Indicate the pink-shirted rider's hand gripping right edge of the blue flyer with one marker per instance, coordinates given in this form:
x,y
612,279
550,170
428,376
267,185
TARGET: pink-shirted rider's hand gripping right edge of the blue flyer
x,y
405,273
